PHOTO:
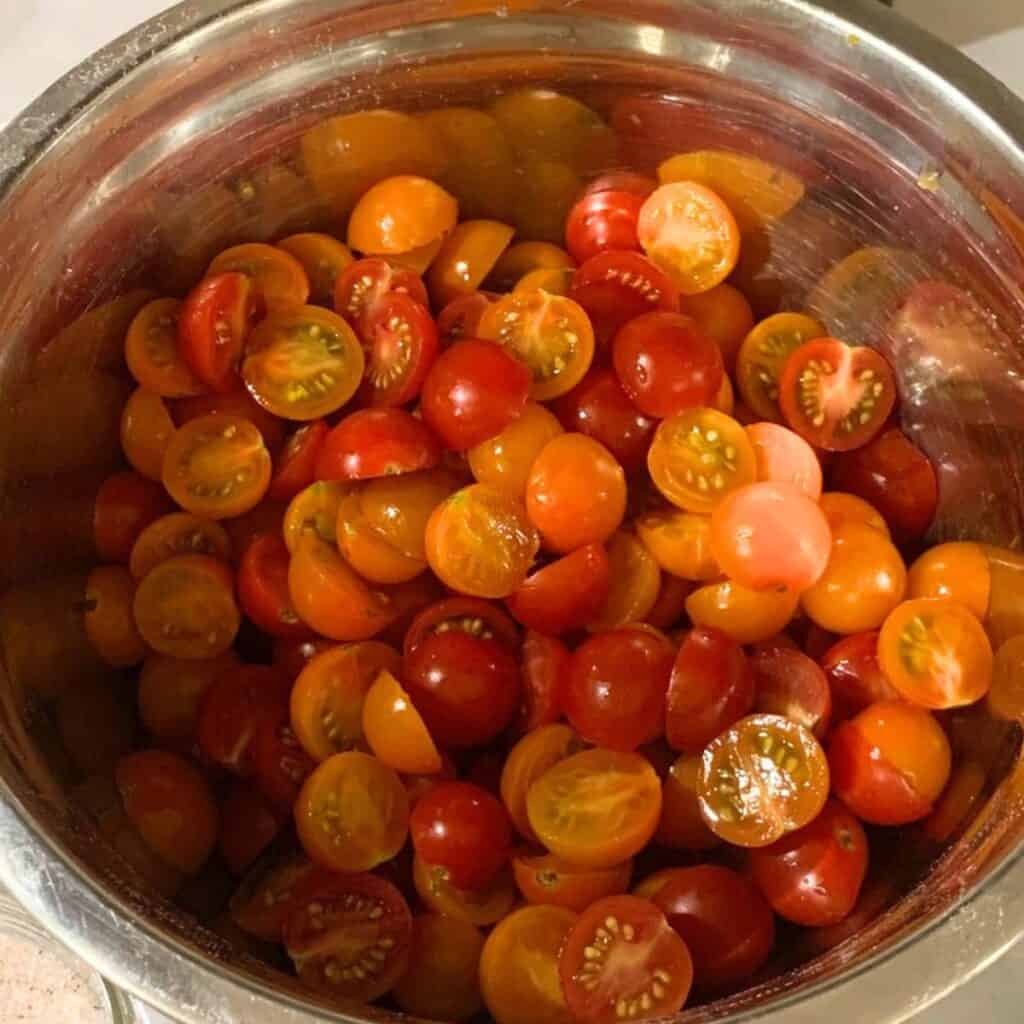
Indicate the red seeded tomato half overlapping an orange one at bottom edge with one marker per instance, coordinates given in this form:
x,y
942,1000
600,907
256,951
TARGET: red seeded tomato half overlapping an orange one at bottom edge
x,y
643,969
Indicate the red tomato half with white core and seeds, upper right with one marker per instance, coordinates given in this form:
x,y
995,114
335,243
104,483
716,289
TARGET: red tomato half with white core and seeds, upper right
x,y
836,397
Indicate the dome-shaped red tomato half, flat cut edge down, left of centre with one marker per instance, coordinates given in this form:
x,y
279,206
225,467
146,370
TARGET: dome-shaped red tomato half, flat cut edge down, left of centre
x,y
376,443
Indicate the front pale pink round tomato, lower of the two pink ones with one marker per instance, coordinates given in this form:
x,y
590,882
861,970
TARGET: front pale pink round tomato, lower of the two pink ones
x,y
771,536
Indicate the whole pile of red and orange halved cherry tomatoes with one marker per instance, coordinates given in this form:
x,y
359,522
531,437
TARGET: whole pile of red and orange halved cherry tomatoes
x,y
467,592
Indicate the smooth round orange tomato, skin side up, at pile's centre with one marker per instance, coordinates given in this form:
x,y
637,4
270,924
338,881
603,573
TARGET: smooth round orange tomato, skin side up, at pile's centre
x,y
576,493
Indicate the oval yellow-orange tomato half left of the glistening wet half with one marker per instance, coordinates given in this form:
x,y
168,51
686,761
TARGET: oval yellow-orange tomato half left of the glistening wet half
x,y
596,808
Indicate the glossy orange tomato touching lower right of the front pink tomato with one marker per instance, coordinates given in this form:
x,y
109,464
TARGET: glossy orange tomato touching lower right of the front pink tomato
x,y
866,579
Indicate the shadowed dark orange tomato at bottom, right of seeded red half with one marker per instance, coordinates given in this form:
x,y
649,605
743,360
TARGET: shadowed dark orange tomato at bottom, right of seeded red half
x,y
442,982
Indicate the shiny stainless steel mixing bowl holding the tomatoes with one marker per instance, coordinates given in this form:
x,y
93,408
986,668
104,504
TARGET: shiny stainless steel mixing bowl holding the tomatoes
x,y
186,136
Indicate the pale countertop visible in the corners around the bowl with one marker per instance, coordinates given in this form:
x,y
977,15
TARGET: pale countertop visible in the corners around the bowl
x,y
42,39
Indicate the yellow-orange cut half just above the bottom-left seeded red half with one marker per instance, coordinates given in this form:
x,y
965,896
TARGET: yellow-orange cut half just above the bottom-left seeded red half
x,y
353,814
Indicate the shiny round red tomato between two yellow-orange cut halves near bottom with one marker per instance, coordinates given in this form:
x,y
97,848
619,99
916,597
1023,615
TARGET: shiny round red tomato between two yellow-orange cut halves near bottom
x,y
463,831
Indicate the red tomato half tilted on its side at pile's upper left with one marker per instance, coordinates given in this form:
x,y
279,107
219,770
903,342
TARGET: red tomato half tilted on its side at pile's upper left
x,y
214,326
